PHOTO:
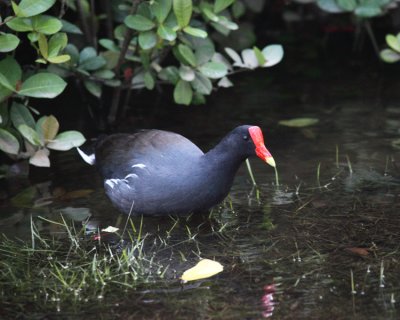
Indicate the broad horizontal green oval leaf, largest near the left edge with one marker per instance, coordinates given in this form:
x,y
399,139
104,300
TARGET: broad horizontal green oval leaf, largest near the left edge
x,y
43,85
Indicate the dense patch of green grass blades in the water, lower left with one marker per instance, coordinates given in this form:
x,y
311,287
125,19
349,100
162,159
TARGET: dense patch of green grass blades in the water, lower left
x,y
71,269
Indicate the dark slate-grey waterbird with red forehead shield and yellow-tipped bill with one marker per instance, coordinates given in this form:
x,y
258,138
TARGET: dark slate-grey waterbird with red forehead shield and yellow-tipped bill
x,y
155,172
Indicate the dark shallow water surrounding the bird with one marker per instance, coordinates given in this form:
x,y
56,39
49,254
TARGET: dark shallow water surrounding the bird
x,y
324,244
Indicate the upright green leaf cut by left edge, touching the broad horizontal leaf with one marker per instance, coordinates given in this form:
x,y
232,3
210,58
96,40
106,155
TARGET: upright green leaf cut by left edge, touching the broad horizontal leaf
x,y
10,75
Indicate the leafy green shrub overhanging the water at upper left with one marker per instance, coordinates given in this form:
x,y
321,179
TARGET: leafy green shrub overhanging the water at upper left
x,y
145,43
